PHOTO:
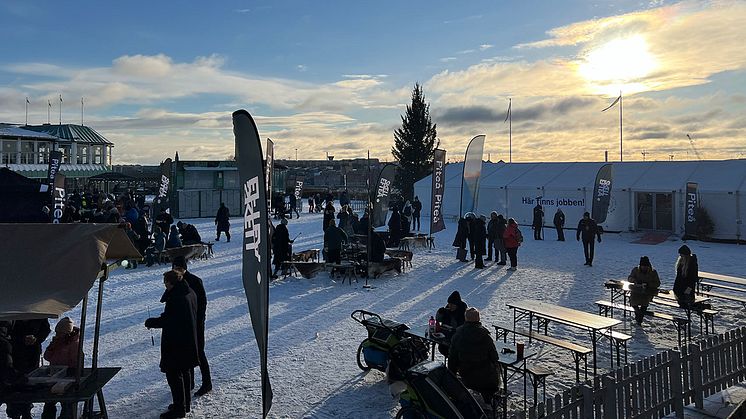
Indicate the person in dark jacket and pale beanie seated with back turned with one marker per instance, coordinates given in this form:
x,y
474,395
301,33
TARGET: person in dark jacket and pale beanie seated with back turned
x,y
474,357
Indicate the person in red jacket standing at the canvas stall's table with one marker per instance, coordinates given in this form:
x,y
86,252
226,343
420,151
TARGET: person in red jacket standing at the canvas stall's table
x,y
63,350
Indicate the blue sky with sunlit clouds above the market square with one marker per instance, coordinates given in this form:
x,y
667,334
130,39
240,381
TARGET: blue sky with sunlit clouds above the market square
x,y
336,76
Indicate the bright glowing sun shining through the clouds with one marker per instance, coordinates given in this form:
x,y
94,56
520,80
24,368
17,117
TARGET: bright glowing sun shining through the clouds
x,y
620,64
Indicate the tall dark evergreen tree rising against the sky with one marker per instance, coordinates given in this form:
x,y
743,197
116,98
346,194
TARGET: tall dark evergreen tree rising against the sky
x,y
414,143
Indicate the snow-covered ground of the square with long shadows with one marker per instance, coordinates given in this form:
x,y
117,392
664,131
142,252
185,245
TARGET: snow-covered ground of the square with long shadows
x,y
313,341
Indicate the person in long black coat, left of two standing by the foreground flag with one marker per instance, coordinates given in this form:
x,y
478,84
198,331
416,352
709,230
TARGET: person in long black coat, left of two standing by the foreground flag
x,y
179,348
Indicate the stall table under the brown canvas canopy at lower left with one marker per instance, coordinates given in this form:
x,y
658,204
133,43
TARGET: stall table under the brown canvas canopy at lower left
x,y
90,387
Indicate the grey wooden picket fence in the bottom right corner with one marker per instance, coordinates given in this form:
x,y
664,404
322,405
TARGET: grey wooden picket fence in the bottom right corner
x,y
657,385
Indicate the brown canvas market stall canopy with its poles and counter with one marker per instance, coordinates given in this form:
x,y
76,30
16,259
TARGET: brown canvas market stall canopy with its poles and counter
x,y
48,269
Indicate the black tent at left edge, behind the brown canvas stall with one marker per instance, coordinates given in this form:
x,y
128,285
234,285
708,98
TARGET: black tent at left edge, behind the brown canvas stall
x,y
21,199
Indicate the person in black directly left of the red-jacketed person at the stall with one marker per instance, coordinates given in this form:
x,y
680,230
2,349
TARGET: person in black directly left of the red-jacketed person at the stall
x,y
26,339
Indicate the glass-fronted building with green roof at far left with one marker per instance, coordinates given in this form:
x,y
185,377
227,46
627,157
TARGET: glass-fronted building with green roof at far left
x,y
25,150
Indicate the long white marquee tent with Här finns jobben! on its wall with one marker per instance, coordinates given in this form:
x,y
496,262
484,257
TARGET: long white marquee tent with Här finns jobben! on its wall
x,y
645,195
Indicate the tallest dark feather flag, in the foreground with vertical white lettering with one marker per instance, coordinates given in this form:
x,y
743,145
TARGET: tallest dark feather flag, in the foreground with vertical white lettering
x,y
255,251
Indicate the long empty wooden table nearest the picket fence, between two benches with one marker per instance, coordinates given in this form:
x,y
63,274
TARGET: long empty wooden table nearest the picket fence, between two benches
x,y
546,312
